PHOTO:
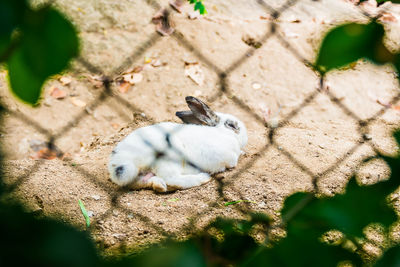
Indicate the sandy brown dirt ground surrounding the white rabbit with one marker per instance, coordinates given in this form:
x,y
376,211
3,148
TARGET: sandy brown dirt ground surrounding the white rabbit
x,y
322,138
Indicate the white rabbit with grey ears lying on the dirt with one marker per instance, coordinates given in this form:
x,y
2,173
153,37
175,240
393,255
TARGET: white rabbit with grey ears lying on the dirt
x,y
169,156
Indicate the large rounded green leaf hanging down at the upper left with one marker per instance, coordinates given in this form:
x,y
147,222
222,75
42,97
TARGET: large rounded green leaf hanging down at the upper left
x,y
47,44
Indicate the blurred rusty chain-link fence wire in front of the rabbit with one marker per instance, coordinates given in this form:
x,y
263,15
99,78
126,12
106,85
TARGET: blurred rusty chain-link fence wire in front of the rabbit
x,y
224,90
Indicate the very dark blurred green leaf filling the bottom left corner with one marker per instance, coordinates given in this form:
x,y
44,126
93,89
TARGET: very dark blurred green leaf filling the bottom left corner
x,y
29,241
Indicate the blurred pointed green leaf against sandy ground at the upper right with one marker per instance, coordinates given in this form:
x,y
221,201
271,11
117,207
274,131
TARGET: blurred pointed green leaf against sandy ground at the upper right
x,y
350,42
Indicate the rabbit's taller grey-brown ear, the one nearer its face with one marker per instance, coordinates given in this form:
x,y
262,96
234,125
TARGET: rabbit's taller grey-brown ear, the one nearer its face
x,y
201,111
